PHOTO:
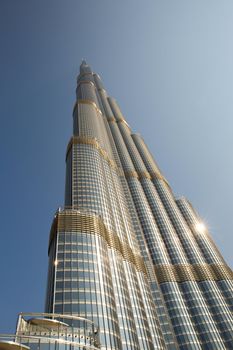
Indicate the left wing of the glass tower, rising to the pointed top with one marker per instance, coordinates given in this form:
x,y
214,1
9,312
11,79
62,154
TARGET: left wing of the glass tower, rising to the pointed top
x,y
96,269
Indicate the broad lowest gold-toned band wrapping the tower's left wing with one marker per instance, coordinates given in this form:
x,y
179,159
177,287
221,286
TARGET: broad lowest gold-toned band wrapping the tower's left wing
x,y
70,220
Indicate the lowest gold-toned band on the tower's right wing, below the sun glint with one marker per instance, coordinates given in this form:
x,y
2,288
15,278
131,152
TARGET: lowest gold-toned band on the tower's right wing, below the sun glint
x,y
195,272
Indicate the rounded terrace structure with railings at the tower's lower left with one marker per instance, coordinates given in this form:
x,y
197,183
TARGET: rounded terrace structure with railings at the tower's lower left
x,y
45,331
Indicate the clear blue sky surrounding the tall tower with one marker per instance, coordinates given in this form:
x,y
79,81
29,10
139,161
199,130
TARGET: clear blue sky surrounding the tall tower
x,y
169,65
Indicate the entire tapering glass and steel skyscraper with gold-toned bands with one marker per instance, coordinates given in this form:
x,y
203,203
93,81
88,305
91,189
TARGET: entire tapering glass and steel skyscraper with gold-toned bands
x,y
130,265
